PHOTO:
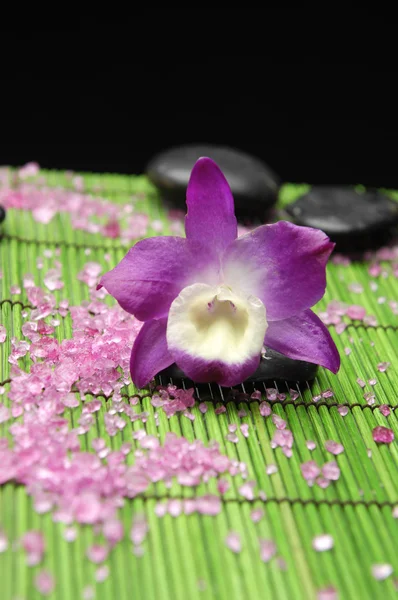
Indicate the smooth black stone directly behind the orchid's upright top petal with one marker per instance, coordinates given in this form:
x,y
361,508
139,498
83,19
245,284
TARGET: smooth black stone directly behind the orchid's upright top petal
x,y
253,184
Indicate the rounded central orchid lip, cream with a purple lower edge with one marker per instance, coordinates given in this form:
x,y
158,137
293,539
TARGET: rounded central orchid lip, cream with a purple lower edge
x,y
215,334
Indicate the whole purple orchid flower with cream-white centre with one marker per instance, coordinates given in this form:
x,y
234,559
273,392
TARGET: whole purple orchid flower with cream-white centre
x,y
210,301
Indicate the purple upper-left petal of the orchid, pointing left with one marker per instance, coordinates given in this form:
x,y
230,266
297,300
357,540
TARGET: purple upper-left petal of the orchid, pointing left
x,y
155,270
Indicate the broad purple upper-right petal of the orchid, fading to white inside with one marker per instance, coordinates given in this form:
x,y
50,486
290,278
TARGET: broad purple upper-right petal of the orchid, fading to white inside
x,y
282,264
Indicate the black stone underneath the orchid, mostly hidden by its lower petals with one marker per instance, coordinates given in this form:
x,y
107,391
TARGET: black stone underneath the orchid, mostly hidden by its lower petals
x,y
275,367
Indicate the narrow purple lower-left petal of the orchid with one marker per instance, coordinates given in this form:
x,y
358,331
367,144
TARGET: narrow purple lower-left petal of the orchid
x,y
150,354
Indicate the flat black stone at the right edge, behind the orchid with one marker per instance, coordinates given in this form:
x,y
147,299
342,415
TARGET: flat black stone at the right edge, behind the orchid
x,y
354,220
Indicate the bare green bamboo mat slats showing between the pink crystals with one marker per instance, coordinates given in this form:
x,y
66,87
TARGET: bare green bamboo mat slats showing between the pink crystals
x,y
186,557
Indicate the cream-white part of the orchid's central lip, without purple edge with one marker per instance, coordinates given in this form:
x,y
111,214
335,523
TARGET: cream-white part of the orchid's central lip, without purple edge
x,y
216,323
